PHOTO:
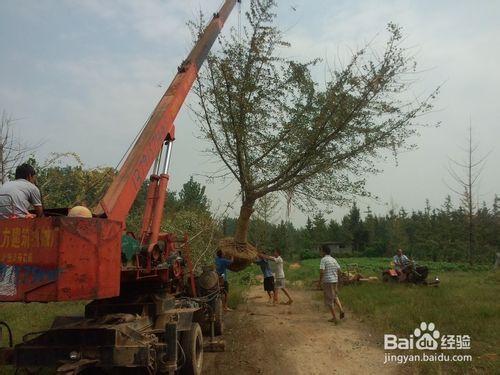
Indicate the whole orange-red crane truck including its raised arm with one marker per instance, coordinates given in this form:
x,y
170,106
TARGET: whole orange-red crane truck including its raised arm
x,y
148,311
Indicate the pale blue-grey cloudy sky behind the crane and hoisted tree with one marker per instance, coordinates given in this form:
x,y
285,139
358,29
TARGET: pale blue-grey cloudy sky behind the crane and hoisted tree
x,y
84,75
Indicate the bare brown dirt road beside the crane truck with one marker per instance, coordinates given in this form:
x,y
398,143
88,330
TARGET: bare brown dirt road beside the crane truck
x,y
296,339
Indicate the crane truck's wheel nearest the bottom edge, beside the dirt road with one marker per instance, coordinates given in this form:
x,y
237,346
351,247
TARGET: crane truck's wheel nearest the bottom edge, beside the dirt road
x,y
192,345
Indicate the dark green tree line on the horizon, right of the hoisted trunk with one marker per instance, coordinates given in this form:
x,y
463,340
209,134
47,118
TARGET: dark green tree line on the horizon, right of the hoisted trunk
x,y
437,234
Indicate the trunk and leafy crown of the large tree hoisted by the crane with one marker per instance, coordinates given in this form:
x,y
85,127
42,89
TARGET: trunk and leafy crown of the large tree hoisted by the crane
x,y
275,129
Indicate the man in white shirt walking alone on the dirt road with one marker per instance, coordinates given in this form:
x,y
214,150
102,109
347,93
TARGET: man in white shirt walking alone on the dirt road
x,y
328,278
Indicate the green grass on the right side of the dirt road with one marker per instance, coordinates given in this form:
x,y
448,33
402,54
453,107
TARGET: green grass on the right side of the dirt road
x,y
464,303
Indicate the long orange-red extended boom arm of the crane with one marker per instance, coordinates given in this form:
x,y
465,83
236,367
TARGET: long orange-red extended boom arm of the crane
x,y
120,196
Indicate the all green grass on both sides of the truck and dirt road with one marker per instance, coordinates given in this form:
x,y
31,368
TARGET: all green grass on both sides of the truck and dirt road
x,y
466,302
